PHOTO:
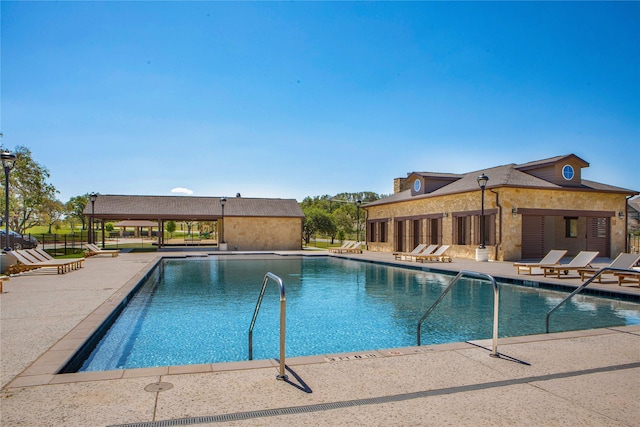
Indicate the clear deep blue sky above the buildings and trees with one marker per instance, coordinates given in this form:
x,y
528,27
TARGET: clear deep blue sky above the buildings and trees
x,y
295,99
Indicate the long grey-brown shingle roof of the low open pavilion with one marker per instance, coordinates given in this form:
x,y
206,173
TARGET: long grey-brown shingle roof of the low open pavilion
x,y
184,207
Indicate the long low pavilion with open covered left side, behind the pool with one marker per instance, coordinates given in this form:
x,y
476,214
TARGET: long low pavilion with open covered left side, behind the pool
x,y
247,224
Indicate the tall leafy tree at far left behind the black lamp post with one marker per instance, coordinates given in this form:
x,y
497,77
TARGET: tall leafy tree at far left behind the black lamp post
x,y
29,191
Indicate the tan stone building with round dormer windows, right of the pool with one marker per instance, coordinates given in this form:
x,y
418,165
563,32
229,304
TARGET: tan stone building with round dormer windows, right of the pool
x,y
529,209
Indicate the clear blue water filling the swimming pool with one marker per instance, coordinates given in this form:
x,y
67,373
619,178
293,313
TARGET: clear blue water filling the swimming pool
x,y
193,311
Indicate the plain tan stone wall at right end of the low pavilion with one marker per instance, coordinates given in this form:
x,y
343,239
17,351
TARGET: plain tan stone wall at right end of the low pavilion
x,y
263,234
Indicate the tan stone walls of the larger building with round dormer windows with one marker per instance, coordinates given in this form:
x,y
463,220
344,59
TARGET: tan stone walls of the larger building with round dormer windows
x,y
508,226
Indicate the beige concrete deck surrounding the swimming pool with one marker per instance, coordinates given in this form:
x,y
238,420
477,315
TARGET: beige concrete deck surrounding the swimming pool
x,y
571,378
